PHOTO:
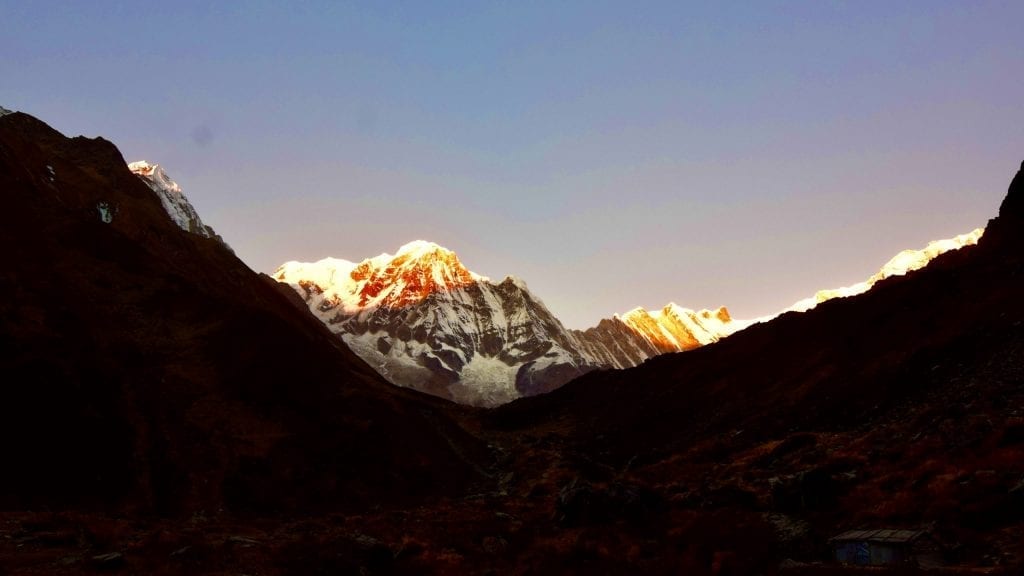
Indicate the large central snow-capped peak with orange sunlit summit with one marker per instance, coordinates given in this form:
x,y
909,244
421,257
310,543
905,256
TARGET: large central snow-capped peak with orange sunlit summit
x,y
424,321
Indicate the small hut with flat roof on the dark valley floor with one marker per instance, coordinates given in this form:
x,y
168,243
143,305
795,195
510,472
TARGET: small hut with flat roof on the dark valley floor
x,y
887,548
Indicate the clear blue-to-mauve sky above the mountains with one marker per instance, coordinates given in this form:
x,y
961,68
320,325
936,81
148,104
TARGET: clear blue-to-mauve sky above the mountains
x,y
613,155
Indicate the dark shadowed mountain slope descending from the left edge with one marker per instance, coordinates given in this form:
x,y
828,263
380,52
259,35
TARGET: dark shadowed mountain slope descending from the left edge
x,y
148,368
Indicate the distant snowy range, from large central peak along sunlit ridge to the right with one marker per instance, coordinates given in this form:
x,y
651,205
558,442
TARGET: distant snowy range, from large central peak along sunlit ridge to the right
x,y
424,321
